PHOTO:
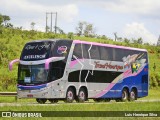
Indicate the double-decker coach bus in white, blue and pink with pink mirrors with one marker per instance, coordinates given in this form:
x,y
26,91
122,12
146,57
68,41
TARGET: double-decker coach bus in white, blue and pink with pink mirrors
x,y
69,70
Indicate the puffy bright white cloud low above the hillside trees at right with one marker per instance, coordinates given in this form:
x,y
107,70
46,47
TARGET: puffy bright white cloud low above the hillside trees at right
x,y
137,30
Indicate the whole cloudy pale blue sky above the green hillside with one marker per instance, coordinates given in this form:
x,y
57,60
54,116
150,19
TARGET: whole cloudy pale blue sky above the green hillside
x,y
130,19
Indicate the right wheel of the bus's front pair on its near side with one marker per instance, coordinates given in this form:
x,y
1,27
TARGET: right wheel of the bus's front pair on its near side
x,y
82,95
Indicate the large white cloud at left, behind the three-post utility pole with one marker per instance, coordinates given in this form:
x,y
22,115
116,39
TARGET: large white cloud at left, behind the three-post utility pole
x,y
23,12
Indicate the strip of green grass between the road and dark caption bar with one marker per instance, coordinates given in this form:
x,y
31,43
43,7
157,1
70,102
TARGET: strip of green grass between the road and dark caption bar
x,y
103,106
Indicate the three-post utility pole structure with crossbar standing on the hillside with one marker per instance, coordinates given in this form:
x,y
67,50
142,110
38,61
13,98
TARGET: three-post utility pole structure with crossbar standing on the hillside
x,y
51,21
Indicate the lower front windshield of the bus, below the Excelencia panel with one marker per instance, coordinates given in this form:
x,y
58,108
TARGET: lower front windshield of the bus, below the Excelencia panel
x,y
32,74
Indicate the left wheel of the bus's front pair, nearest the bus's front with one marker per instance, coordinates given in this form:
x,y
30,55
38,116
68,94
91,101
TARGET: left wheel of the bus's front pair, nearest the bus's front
x,y
70,95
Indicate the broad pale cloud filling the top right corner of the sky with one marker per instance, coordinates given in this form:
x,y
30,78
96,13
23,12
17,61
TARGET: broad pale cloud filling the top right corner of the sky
x,y
138,7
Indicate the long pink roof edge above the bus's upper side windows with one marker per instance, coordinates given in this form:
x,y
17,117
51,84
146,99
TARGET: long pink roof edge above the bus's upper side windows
x,y
109,45
